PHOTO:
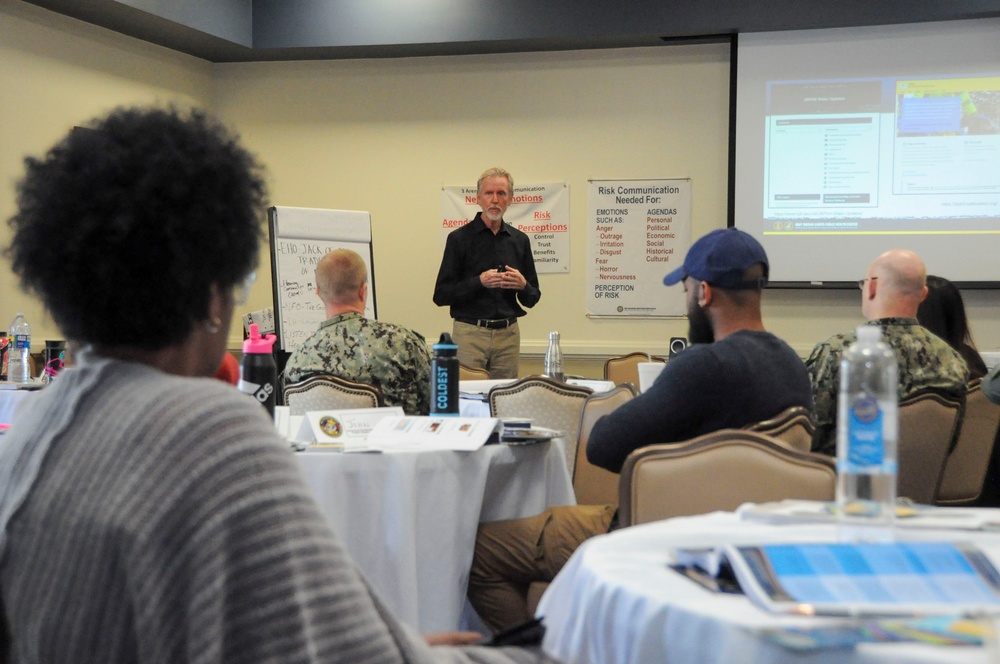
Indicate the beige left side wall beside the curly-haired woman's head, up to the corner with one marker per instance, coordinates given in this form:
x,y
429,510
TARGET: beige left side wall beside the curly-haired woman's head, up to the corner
x,y
56,72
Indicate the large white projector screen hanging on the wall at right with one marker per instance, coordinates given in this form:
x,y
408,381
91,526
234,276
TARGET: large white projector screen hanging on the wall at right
x,y
849,142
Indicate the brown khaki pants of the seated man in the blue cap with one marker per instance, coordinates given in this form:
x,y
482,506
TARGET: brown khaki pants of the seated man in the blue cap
x,y
510,555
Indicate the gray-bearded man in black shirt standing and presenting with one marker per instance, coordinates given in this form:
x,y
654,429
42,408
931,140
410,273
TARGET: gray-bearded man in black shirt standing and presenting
x,y
487,273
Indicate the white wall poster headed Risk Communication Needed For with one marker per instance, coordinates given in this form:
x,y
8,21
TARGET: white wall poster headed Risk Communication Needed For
x,y
639,230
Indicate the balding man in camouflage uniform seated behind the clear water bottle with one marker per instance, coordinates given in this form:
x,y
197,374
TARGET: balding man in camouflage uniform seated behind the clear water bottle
x,y
892,290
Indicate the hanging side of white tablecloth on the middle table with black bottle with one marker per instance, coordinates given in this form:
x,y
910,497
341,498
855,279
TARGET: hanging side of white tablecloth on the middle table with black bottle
x,y
409,519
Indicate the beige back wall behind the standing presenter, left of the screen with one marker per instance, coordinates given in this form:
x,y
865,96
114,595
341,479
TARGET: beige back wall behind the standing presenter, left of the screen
x,y
385,135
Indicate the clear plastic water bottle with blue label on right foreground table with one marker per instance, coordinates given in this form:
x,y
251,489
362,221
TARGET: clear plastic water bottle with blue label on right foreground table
x,y
867,432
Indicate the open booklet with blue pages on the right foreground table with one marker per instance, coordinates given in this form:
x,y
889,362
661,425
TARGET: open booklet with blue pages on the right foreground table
x,y
868,579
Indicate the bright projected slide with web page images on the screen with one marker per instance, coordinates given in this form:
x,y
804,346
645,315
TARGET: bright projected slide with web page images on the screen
x,y
881,154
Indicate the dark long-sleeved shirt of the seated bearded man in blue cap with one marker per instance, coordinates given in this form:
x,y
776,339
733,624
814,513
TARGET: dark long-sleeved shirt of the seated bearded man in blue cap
x,y
746,377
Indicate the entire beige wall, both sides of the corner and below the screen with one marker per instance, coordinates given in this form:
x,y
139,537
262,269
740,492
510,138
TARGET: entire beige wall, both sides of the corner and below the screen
x,y
385,135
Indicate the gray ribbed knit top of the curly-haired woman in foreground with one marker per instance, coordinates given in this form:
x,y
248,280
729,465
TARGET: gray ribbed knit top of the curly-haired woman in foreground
x,y
167,522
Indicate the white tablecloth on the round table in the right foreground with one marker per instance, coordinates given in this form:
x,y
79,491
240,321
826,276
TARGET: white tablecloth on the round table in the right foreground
x,y
617,602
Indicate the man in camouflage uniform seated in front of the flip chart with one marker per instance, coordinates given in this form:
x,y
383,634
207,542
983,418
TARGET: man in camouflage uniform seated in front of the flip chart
x,y
351,346
